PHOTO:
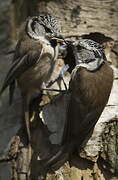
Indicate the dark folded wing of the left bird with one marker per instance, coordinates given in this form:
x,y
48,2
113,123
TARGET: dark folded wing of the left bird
x,y
19,66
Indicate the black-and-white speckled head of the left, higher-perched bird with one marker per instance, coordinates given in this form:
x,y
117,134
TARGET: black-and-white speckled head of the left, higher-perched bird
x,y
44,27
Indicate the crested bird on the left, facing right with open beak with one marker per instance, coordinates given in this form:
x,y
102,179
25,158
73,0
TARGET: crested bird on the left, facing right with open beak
x,y
34,58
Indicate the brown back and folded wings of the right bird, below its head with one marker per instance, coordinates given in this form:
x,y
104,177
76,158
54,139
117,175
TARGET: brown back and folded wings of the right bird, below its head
x,y
89,94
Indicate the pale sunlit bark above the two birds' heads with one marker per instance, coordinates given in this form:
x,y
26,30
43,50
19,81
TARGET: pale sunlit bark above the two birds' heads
x,y
83,17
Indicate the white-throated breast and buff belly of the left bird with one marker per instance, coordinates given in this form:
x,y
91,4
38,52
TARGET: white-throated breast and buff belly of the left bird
x,y
32,79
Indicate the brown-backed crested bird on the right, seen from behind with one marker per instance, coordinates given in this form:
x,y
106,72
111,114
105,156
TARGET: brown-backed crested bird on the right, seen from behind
x,y
90,87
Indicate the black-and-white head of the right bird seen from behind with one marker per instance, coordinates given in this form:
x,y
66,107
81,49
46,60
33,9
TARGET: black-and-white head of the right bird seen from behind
x,y
85,53
